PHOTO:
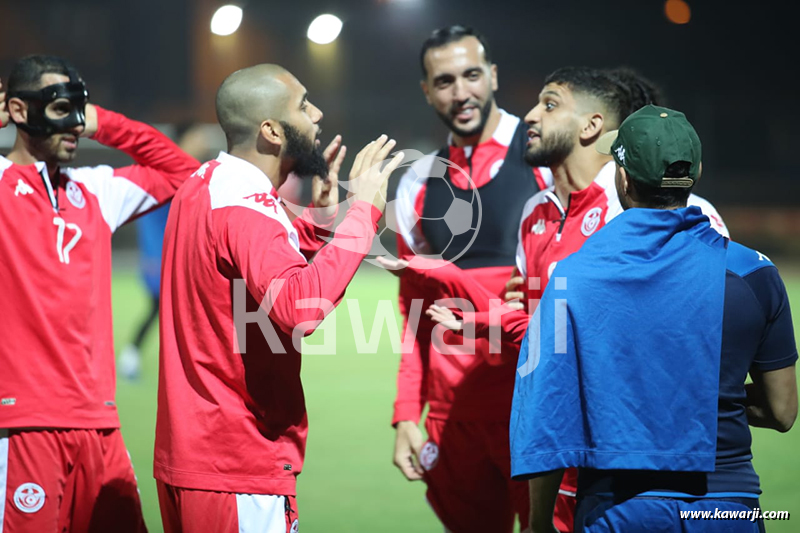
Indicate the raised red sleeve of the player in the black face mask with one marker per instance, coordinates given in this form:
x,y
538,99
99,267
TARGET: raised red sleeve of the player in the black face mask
x,y
160,166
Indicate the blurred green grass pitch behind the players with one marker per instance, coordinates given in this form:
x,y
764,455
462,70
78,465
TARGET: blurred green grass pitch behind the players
x,y
348,482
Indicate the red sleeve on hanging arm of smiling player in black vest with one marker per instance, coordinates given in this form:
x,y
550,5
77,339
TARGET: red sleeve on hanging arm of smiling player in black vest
x,y
412,384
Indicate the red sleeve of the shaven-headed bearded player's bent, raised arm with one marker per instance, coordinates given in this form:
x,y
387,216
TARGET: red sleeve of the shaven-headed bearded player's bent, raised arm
x,y
258,248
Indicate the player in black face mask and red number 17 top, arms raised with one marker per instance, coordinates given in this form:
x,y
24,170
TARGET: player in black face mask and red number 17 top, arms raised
x,y
63,465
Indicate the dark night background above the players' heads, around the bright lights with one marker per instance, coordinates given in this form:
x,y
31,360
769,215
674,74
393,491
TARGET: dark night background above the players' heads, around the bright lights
x,y
732,69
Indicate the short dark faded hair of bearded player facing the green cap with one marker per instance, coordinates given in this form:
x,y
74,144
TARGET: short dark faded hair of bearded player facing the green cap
x,y
596,83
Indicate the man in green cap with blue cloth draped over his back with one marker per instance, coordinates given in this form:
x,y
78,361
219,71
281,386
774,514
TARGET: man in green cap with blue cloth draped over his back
x,y
633,368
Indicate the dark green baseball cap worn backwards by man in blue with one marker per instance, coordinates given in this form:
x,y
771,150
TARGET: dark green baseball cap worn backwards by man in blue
x,y
649,141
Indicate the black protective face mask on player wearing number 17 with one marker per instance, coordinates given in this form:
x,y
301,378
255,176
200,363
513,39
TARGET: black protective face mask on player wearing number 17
x,y
39,124
